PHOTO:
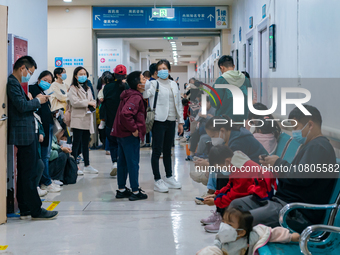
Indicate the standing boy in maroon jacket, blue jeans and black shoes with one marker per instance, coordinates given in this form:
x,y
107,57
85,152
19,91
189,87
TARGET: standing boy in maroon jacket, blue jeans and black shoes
x,y
129,128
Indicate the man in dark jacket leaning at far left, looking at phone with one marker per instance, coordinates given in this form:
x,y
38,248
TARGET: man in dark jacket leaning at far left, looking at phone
x,y
22,132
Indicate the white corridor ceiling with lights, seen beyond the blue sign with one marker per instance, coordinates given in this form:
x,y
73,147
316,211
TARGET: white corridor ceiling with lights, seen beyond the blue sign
x,y
144,44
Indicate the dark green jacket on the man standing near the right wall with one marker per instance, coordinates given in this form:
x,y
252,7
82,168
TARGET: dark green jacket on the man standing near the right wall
x,y
227,100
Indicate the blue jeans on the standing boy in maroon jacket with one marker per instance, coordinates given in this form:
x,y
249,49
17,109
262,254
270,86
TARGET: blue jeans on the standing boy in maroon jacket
x,y
128,161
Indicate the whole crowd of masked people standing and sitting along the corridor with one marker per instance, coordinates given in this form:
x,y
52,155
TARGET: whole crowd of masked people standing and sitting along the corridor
x,y
52,125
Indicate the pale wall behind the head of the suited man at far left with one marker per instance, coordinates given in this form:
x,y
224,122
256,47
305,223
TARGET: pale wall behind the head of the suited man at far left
x,y
28,19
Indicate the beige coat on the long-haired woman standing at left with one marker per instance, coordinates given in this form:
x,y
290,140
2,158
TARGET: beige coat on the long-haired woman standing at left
x,y
79,101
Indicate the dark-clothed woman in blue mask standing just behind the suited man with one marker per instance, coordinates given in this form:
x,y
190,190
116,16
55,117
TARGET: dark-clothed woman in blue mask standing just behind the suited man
x,y
41,87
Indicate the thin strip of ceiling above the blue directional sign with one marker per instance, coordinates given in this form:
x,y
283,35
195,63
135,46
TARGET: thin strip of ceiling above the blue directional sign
x,y
142,2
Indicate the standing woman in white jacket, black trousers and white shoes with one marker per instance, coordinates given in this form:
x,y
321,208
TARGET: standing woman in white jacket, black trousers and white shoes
x,y
168,109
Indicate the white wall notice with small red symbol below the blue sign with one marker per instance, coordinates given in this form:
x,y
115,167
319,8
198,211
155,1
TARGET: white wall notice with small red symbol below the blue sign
x,y
108,59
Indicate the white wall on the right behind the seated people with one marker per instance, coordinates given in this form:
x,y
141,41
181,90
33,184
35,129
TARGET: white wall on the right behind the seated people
x,y
307,37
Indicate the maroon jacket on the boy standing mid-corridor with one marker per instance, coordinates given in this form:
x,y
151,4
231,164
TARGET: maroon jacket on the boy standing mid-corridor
x,y
131,115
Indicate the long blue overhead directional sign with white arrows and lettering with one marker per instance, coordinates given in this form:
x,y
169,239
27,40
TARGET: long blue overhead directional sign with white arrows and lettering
x,y
141,17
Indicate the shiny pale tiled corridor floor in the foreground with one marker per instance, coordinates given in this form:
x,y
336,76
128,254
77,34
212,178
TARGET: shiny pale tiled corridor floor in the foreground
x,y
92,221
